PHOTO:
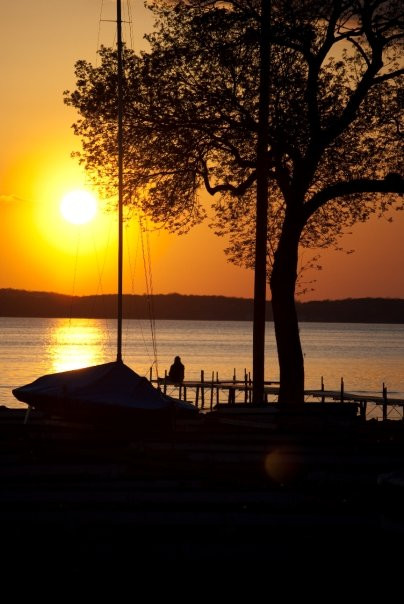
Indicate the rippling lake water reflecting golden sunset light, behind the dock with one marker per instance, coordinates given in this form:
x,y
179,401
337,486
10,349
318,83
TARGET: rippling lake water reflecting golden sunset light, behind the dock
x,y
365,355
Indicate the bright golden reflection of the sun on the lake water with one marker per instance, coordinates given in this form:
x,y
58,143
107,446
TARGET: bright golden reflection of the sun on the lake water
x,y
76,343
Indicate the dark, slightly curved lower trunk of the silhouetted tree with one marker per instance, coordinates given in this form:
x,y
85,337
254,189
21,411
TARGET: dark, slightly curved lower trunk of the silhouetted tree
x,y
283,284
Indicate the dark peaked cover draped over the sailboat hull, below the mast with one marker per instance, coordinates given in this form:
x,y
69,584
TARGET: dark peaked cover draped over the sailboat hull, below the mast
x,y
107,385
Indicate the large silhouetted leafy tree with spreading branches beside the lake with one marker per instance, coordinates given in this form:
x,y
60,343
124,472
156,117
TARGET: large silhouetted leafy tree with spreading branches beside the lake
x,y
192,121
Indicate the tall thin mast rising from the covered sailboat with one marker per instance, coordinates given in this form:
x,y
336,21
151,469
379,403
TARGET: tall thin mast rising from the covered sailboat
x,y
120,176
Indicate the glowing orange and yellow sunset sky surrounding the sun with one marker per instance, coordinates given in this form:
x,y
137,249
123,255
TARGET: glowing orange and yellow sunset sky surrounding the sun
x,y
40,41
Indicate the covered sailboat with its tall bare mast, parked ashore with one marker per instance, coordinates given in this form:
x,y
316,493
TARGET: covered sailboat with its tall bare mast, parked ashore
x,y
110,392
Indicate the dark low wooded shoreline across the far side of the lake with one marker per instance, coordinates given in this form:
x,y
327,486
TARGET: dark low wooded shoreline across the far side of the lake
x,y
22,303
